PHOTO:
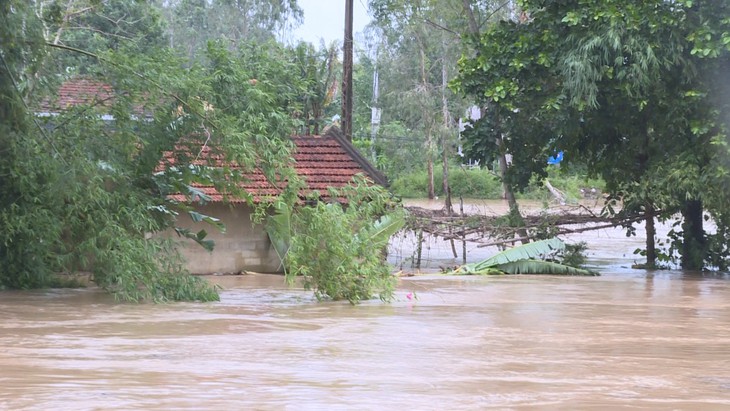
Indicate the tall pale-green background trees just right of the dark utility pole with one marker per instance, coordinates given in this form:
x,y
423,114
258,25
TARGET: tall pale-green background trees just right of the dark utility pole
x,y
415,59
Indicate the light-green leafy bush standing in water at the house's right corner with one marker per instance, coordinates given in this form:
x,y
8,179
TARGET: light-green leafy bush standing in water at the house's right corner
x,y
338,248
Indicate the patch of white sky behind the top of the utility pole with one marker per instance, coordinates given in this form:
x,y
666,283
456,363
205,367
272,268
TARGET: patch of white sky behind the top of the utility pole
x,y
325,19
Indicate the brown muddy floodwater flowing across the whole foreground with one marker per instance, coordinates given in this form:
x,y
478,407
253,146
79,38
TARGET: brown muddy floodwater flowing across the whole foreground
x,y
626,340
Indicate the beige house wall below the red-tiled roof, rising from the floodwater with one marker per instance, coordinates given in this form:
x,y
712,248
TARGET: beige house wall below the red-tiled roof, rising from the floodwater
x,y
243,247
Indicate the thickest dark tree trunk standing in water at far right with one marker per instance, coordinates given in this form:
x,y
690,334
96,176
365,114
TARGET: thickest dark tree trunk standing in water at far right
x,y
693,236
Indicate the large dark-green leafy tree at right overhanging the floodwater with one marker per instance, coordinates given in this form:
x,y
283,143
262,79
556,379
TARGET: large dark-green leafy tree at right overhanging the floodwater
x,y
613,83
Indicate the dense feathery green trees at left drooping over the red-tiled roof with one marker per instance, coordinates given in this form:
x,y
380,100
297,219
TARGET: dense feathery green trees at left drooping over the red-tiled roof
x,y
79,193
